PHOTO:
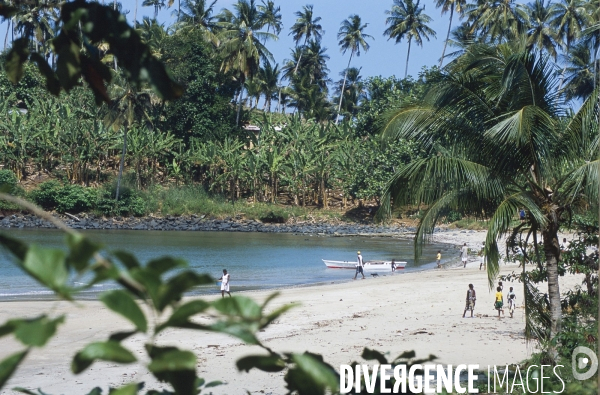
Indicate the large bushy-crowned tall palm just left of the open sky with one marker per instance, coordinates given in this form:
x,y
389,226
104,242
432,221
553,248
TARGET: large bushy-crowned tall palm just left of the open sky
x,y
241,49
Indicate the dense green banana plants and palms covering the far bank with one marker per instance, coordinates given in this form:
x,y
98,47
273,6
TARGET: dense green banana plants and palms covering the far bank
x,y
231,80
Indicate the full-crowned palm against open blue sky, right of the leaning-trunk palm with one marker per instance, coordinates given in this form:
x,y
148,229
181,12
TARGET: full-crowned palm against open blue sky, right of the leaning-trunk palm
x,y
406,20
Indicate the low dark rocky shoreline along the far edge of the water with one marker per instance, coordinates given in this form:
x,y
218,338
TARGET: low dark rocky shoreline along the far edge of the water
x,y
204,223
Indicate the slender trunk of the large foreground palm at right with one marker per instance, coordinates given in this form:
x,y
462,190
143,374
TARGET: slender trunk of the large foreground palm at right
x,y
552,252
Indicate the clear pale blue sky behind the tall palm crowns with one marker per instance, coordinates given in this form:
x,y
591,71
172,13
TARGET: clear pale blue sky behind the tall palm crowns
x,y
384,58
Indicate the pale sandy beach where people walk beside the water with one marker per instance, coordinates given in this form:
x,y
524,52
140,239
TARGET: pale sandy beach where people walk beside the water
x,y
418,311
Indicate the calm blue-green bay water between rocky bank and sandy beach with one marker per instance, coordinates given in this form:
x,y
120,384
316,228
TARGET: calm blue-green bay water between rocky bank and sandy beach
x,y
254,260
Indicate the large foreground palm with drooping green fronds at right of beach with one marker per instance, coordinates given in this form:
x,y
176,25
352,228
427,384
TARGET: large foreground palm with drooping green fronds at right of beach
x,y
497,142
